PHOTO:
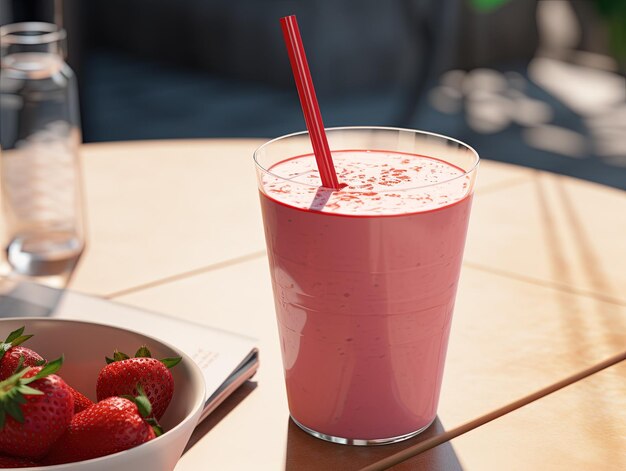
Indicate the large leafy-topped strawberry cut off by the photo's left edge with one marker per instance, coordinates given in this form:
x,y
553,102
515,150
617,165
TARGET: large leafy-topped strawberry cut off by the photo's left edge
x,y
36,407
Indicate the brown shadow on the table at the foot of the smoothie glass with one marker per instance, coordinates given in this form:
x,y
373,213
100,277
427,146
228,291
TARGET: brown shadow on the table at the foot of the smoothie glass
x,y
305,452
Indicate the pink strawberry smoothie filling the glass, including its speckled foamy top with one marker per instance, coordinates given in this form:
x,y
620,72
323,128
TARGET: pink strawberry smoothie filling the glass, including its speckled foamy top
x,y
364,283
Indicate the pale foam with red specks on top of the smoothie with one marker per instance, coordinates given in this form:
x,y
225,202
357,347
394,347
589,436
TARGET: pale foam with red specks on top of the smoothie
x,y
374,182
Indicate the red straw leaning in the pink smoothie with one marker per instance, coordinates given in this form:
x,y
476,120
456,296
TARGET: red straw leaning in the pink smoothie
x,y
308,100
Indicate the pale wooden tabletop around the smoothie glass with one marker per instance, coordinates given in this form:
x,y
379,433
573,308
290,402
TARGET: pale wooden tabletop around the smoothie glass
x,y
175,226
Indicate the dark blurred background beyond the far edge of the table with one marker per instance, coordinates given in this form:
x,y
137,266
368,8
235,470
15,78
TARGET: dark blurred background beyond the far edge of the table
x,y
535,83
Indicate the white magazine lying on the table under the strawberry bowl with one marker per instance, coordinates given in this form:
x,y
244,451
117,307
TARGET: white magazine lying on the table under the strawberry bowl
x,y
226,359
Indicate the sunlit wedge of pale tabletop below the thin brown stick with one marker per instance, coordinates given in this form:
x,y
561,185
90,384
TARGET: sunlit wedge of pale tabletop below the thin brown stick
x,y
580,427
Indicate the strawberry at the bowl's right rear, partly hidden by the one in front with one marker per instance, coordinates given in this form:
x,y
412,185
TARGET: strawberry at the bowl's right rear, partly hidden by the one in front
x,y
122,374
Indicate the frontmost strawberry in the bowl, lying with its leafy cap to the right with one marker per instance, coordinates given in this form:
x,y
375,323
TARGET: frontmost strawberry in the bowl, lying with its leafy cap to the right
x,y
109,426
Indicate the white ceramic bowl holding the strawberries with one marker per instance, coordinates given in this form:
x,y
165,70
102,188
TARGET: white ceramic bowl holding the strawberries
x,y
84,346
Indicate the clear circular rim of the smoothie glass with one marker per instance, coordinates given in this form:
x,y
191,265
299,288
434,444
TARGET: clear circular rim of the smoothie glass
x,y
465,173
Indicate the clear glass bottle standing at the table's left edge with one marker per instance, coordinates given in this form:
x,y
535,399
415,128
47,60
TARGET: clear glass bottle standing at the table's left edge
x,y
42,216
